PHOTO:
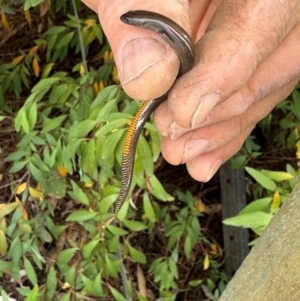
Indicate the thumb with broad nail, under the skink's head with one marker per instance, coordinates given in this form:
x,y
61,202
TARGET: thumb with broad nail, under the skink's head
x,y
147,65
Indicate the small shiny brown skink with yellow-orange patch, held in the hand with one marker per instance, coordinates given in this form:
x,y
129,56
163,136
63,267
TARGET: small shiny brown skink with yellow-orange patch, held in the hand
x,y
181,42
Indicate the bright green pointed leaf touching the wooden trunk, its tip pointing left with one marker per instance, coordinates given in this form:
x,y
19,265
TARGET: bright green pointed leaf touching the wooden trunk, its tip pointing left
x,y
249,220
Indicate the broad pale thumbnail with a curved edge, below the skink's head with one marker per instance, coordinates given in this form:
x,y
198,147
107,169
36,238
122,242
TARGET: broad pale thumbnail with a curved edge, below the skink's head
x,y
138,55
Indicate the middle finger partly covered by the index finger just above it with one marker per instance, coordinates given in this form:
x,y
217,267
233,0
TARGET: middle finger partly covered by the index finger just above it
x,y
272,74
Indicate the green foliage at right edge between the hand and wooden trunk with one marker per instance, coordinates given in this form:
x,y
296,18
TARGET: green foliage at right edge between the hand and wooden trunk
x,y
272,187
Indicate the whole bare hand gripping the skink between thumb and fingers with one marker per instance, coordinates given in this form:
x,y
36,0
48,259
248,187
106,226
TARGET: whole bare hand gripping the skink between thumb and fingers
x,y
247,62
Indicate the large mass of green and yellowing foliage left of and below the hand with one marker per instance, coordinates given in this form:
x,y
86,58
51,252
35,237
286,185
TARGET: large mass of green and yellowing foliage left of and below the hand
x,y
58,239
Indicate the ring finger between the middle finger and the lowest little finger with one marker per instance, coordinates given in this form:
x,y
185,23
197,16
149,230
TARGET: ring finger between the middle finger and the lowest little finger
x,y
209,138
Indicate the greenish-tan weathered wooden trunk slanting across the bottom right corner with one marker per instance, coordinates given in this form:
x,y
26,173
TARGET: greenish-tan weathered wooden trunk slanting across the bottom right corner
x,y
272,269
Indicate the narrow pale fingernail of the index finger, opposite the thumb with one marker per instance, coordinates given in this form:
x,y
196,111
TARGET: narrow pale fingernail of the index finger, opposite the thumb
x,y
206,104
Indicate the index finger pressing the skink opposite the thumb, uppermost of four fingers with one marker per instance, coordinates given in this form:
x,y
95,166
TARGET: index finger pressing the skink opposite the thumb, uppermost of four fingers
x,y
236,43
